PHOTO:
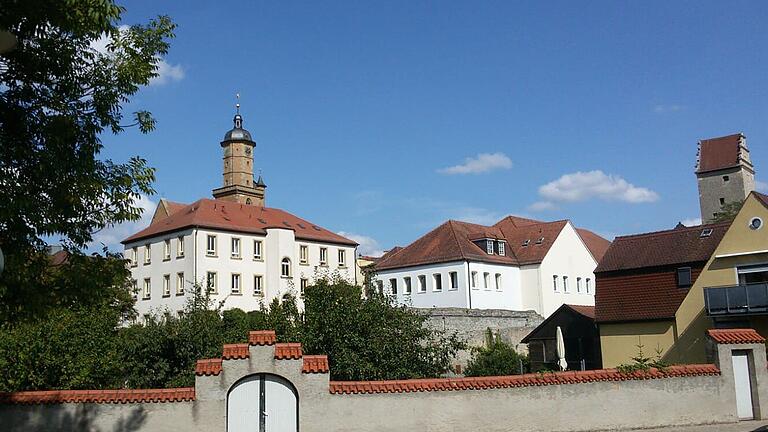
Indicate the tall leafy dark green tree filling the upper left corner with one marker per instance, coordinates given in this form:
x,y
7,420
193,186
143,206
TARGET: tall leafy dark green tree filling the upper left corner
x,y
57,96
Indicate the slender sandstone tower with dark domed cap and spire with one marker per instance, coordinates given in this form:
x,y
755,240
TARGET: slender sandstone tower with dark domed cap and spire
x,y
239,185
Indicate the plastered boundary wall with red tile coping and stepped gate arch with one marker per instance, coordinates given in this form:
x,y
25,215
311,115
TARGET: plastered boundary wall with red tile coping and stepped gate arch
x,y
565,401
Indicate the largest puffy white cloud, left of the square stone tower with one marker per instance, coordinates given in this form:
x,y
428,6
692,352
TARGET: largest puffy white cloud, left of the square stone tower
x,y
581,186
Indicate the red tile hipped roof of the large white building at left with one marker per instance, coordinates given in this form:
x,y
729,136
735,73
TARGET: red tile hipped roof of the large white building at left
x,y
231,216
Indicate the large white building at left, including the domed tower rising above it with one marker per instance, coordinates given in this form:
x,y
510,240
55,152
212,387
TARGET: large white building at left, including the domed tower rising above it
x,y
243,253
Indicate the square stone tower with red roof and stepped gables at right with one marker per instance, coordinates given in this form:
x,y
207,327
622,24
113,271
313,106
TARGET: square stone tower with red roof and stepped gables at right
x,y
724,172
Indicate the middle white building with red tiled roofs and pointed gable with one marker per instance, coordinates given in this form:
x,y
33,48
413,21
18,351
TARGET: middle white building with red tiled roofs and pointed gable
x,y
456,265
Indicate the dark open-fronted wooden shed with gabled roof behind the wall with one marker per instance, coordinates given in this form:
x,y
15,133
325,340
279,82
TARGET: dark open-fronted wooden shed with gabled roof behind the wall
x,y
580,334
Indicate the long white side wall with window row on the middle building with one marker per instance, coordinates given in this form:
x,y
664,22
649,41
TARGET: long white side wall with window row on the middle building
x,y
508,297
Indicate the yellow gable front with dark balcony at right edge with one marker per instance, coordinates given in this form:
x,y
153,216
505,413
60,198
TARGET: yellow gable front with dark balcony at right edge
x,y
732,290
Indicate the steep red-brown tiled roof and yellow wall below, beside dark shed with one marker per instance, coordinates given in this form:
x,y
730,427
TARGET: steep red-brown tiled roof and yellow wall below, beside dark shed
x,y
640,283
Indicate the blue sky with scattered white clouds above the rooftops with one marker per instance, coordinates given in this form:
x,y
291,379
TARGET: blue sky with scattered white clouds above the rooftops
x,y
365,113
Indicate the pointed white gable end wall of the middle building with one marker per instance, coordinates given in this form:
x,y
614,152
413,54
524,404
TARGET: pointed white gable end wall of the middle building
x,y
570,257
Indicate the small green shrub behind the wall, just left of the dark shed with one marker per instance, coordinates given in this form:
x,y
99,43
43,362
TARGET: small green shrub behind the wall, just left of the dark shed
x,y
495,358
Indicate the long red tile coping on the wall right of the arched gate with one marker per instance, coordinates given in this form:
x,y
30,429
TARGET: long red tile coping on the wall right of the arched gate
x,y
527,380
